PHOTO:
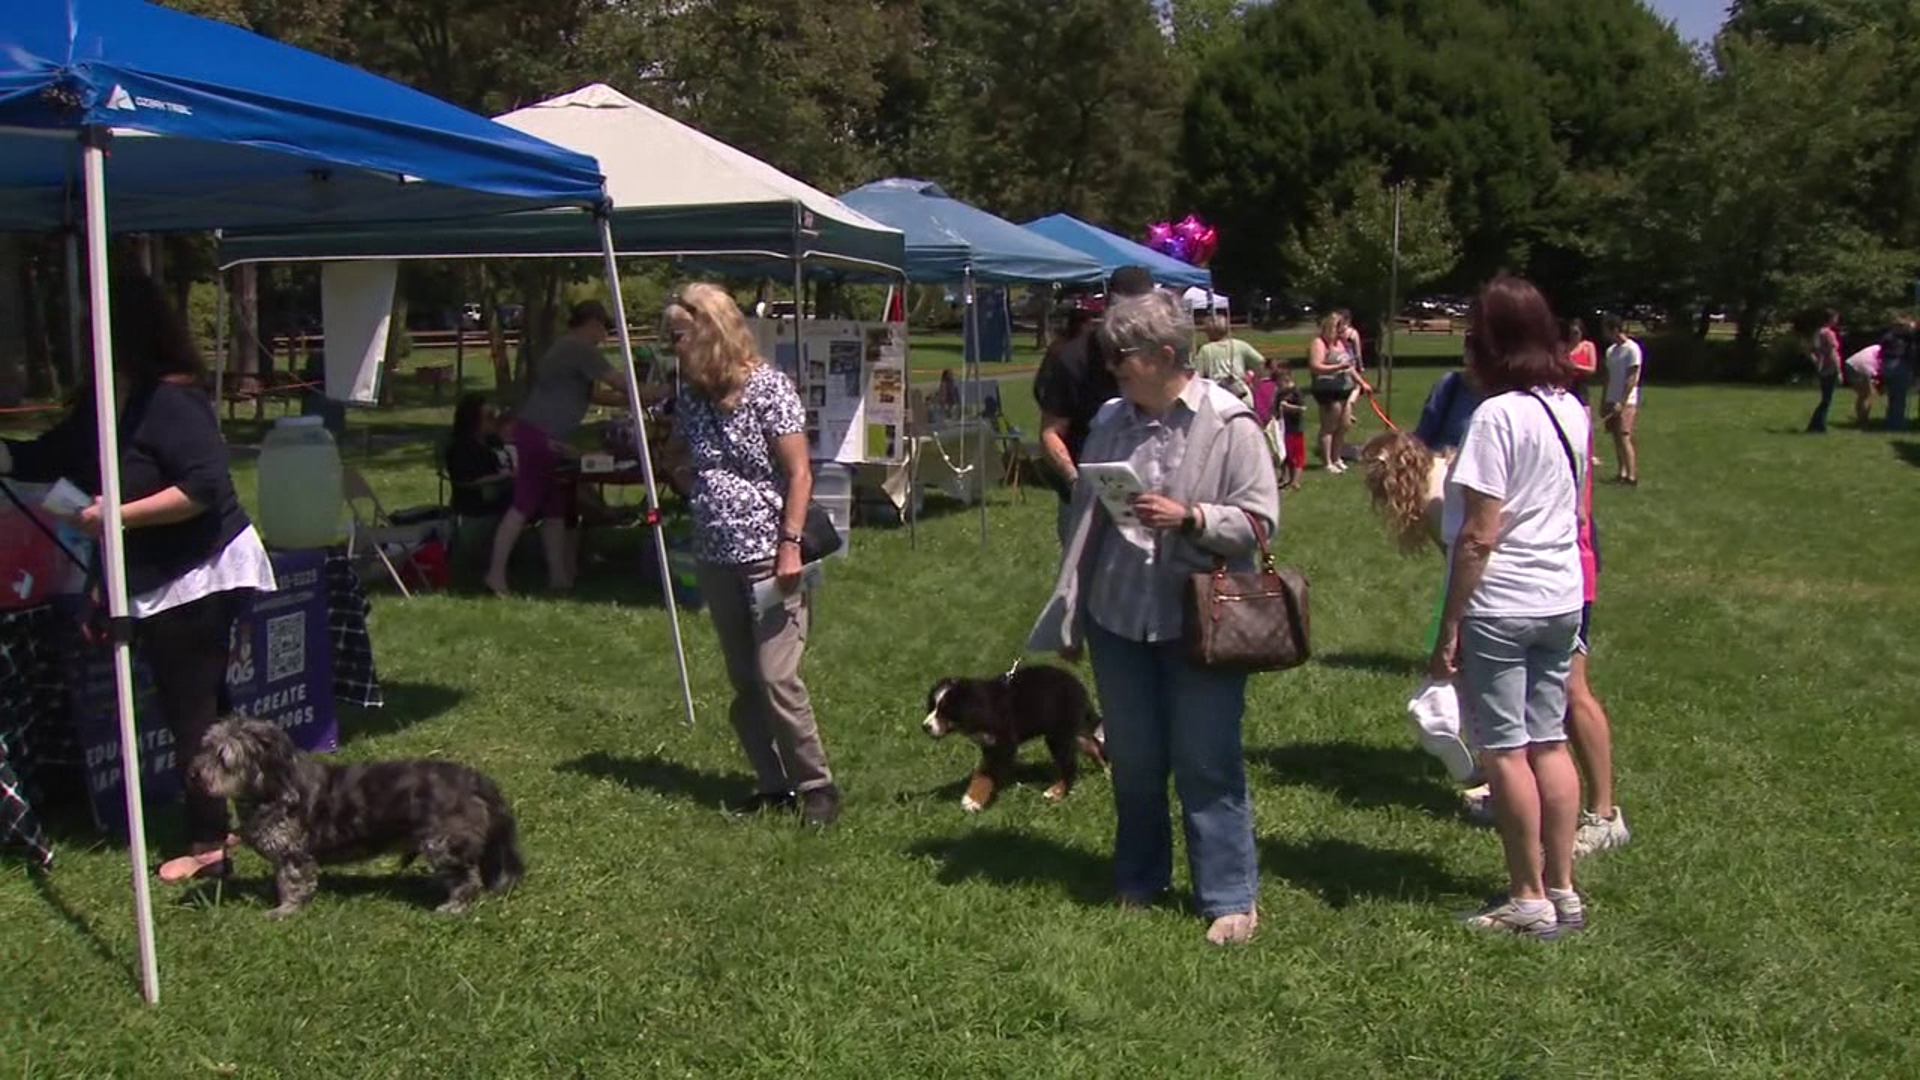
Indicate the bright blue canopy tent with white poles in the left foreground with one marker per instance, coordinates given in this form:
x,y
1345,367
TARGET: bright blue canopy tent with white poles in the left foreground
x,y
183,124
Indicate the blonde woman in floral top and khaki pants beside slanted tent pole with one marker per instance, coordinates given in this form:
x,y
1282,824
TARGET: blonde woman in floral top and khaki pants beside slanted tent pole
x,y
740,449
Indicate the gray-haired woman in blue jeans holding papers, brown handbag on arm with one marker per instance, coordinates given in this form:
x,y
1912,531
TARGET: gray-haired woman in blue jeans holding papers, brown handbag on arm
x,y
1209,483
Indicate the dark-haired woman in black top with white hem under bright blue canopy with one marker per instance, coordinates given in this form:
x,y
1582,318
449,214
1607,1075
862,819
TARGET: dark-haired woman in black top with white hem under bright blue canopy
x,y
193,556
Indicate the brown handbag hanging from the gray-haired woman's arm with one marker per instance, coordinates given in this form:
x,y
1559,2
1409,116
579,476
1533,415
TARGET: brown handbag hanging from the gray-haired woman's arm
x,y
1249,622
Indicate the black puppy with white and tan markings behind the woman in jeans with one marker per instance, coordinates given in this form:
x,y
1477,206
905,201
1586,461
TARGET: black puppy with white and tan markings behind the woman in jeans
x,y
1001,714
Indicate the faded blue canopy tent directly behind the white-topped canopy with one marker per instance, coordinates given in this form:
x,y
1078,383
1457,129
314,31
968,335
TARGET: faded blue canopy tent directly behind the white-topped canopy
x,y
953,243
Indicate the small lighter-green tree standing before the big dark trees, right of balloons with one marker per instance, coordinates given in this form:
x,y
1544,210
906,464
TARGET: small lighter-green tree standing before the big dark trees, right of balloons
x,y
1345,255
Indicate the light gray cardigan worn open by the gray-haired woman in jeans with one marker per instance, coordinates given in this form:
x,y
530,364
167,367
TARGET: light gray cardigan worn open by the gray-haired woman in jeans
x,y
1228,470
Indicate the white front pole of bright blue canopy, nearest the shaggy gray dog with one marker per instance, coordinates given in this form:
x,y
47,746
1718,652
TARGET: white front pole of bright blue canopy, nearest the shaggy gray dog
x,y
112,543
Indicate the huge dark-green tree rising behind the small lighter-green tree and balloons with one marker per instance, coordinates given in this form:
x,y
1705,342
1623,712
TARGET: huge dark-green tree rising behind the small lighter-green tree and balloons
x,y
1524,107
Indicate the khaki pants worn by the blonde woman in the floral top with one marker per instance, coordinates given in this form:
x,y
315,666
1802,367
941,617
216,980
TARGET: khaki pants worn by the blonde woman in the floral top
x,y
771,710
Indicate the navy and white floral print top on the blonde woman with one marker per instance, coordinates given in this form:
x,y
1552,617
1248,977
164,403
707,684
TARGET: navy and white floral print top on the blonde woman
x,y
740,491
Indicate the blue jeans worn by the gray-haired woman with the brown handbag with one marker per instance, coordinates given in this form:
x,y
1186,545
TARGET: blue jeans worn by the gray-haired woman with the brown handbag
x,y
1166,716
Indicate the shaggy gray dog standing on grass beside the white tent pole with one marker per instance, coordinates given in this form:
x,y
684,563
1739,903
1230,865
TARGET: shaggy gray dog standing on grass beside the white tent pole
x,y
300,812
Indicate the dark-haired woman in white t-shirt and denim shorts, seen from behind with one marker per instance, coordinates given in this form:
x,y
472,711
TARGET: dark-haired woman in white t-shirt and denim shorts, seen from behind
x,y
1512,616
